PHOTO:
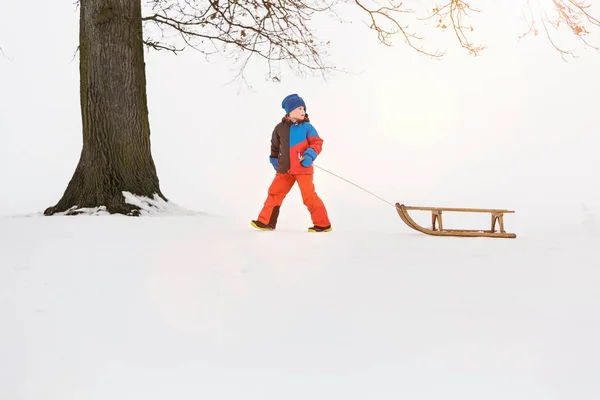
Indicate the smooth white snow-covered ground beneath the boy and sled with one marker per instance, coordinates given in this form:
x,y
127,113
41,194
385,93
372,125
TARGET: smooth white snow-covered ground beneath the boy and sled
x,y
203,306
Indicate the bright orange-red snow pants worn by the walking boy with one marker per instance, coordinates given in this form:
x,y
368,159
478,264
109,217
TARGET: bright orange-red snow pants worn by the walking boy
x,y
281,186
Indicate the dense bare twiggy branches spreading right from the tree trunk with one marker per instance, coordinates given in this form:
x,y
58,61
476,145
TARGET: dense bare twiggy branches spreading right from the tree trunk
x,y
274,31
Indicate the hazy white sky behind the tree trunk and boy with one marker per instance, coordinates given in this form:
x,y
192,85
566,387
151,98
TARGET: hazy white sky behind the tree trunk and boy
x,y
514,128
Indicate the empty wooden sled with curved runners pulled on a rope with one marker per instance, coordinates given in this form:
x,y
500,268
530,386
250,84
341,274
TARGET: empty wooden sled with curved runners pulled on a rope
x,y
436,217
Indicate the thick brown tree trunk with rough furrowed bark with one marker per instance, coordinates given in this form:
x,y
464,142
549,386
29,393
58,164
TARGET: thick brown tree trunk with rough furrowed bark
x,y
116,154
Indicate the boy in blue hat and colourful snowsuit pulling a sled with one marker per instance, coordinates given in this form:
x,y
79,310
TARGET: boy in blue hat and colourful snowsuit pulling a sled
x,y
295,144
